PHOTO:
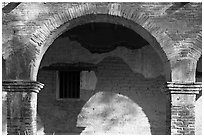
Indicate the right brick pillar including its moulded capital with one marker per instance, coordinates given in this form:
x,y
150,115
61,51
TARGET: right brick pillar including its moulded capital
x,y
183,97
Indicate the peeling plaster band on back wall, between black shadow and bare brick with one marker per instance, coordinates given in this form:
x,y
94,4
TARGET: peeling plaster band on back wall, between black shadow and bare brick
x,y
144,60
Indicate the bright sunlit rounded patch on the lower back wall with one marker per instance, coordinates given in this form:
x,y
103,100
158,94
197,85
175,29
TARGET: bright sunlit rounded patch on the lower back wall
x,y
111,113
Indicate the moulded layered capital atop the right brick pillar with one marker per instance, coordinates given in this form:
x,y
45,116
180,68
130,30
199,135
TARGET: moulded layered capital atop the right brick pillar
x,y
184,87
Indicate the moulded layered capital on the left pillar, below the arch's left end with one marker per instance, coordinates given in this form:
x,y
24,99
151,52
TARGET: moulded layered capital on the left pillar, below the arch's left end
x,y
21,86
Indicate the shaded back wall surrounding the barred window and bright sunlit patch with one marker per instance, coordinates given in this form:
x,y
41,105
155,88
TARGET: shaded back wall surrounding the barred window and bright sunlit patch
x,y
130,73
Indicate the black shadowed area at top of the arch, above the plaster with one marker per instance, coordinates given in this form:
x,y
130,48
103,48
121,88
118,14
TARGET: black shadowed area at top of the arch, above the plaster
x,y
105,37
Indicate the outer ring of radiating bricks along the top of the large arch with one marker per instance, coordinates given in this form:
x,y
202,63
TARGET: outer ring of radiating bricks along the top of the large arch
x,y
113,9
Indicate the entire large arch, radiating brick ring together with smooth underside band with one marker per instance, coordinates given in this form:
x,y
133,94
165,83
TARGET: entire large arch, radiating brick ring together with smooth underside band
x,y
113,13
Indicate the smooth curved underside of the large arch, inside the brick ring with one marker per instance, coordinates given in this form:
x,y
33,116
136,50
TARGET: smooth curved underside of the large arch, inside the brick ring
x,y
99,18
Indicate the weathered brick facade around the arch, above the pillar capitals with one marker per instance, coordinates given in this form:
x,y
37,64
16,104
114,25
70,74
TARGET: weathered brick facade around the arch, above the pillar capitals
x,y
27,33
